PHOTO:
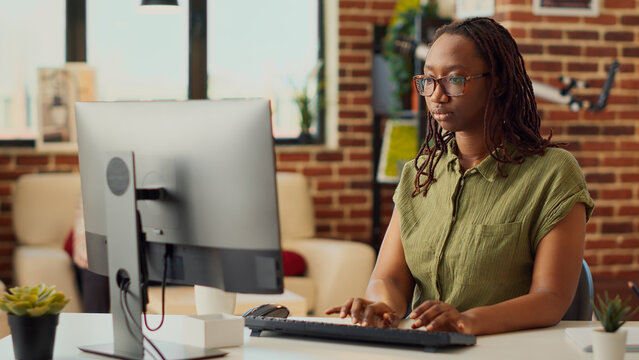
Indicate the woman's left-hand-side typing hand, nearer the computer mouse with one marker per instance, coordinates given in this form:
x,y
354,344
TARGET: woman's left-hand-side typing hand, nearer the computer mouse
x,y
367,313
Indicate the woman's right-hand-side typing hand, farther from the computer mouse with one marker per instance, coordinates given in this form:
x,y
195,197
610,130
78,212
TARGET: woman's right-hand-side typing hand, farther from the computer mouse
x,y
440,316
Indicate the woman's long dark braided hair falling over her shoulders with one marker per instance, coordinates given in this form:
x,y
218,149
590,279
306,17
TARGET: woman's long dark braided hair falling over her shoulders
x,y
511,111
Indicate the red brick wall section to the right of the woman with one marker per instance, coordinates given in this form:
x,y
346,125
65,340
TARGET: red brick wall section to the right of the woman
x,y
604,143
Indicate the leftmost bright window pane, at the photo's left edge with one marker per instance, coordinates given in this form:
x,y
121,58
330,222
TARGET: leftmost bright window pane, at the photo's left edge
x,y
32,36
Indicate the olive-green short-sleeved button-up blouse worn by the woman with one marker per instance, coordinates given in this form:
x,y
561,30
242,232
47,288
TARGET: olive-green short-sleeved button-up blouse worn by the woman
x,y
472,240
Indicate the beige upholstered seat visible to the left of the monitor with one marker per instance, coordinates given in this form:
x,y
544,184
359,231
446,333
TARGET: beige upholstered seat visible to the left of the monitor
x,y
44,206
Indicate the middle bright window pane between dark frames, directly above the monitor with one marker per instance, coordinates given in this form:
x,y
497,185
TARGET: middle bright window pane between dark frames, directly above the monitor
x,y
137,56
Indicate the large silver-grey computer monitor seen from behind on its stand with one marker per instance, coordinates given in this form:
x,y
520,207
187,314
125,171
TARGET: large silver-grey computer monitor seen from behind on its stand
x,y
186,186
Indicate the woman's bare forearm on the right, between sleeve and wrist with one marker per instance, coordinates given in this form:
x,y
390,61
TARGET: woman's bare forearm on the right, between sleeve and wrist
x,y
533,310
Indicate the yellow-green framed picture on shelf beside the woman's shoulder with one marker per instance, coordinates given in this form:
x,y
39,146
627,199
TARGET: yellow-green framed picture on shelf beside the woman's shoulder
x,y
399,145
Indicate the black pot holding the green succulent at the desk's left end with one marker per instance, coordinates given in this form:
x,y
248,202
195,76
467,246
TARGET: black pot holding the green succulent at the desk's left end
x,y
33,337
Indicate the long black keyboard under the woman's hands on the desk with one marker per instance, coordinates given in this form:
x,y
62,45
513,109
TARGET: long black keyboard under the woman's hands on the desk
x,y
429,340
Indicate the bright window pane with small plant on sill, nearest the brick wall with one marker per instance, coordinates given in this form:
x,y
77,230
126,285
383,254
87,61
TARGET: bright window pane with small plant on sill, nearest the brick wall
x,y
268,49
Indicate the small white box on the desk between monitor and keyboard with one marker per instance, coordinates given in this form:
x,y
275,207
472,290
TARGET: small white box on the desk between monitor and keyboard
x,y
213,330
